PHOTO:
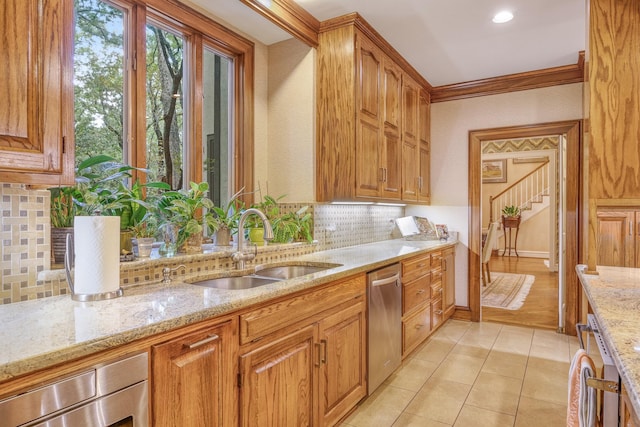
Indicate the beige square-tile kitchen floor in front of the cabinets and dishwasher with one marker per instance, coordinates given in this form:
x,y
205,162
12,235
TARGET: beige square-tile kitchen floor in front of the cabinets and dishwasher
x,y
476,375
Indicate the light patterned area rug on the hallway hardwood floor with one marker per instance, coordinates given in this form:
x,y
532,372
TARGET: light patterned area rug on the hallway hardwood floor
x,y
506,290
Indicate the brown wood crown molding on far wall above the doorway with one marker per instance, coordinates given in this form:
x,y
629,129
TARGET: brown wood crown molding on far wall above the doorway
x,y
555,76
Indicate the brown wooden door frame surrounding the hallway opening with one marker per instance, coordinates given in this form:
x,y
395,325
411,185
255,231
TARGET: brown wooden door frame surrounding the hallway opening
x,y
569,289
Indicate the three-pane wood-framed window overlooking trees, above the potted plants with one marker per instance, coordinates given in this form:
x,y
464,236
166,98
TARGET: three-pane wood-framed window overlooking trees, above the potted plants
x,y
175,98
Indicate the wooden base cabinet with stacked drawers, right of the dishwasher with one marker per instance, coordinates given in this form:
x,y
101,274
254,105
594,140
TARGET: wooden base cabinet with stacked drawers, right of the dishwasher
x,y
425,303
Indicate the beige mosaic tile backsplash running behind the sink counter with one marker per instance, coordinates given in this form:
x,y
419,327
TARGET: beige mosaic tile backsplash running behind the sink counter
x,y
26,244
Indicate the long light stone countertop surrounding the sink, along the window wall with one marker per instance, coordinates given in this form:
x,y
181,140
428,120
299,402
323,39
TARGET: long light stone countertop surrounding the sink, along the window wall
x,y
41,333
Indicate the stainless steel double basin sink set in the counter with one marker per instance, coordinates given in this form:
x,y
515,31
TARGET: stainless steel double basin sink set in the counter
x,y
265,275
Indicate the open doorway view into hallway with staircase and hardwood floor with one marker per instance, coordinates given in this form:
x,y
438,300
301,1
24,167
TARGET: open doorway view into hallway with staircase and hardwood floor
x,y
523,266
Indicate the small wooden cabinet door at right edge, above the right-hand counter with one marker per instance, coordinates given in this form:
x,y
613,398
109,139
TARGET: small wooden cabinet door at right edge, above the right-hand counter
x,y
616,240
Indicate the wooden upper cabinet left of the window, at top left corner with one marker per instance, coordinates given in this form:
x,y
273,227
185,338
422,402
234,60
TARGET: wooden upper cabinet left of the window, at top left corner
x,y
36,115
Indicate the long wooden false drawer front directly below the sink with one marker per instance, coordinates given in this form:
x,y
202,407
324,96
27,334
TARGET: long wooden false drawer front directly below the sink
x,y
272,317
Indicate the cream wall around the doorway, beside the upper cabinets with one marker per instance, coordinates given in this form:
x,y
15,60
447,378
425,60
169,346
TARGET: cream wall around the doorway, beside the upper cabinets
x,y
450,125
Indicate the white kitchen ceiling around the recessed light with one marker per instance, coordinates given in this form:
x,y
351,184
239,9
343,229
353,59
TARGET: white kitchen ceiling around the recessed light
x,y
447,41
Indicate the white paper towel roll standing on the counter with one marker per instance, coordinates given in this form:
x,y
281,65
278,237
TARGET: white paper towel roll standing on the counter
x,y
97,254
